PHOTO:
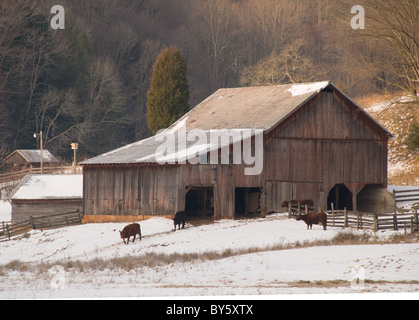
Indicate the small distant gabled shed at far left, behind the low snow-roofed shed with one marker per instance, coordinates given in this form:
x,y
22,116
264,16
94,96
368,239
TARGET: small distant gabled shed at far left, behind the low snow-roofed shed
x,y
24,159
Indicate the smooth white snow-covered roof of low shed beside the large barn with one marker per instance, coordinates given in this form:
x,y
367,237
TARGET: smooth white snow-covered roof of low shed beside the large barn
x,y
42,187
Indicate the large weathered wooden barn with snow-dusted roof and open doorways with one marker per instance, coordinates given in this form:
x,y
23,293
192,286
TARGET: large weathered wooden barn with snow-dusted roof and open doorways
x,y
316,144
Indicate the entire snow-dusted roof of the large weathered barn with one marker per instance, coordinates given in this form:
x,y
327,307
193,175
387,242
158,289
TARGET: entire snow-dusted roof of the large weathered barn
x,y
233,109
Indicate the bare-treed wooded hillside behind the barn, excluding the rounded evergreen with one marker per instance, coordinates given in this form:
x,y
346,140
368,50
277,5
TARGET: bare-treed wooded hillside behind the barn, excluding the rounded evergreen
x,y
88,83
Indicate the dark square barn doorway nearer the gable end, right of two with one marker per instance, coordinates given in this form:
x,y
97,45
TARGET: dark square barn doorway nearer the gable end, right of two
x,y
247,201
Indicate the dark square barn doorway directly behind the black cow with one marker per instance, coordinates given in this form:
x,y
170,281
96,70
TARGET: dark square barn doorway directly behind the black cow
x,y
199,201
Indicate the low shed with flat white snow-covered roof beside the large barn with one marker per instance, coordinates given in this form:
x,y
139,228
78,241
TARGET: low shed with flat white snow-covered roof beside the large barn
x,y
41,195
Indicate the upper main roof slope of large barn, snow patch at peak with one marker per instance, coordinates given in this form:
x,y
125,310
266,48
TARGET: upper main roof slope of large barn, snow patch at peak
x,y
250,107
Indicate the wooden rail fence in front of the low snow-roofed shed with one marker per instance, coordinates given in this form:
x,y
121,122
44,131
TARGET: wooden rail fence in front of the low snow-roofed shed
x,y
8,231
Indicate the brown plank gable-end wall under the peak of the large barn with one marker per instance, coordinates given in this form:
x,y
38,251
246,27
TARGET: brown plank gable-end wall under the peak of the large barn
x,y
323,144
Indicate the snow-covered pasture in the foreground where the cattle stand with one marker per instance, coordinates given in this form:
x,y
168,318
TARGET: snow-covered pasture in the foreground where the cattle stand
x,y
257,262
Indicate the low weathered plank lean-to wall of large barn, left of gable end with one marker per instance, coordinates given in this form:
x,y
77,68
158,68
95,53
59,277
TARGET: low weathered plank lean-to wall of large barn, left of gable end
x,y
157,190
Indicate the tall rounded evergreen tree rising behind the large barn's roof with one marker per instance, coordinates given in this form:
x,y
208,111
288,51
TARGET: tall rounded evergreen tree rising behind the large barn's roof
x,y
168,97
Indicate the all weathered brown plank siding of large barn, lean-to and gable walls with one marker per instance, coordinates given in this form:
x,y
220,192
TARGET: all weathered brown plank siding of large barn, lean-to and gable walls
x,y
328,141
